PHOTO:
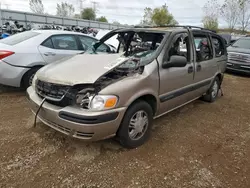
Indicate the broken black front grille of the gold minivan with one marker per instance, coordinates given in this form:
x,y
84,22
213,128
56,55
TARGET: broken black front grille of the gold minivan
x,y
56,94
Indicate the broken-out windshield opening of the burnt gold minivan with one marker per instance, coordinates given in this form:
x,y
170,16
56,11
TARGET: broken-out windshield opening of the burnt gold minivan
x,y
138,44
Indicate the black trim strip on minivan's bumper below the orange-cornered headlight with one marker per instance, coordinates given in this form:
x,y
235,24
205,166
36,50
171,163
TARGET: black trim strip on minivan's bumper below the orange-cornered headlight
x,y
88,119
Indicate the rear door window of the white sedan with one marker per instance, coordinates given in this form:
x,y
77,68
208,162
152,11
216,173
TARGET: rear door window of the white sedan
x,y
64,42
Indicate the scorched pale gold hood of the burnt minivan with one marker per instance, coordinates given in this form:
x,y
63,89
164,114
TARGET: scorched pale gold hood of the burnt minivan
x,y
80,69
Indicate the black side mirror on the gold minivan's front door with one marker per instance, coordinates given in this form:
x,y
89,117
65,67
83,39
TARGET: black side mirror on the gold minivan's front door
x,y
175,61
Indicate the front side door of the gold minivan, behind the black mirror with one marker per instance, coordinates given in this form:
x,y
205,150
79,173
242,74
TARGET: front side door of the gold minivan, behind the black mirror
x,y
176,82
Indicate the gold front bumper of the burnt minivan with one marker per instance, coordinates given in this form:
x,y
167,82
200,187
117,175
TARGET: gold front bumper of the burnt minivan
x,y
77,122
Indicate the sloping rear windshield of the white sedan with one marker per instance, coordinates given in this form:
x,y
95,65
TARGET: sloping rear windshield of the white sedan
x,y
18,38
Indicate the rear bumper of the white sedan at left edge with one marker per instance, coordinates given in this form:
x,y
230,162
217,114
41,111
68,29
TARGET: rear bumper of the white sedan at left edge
x,y
11,75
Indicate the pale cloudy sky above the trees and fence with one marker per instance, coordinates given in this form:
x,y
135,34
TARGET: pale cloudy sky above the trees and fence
x,y
187,12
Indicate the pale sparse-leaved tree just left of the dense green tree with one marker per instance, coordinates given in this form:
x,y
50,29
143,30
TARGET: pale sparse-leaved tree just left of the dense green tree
x,y
65,10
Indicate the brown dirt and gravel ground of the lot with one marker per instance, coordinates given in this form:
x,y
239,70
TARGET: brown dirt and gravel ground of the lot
x,y
199,145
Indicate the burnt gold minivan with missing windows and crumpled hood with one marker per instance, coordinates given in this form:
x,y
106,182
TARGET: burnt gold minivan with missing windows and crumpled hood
x,y
95,96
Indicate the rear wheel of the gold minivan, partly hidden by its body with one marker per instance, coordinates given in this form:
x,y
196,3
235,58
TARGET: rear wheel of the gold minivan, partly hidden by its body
x,y
212,93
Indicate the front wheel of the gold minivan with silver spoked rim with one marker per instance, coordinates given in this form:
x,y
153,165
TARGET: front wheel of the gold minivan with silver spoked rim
x,y
134,136
